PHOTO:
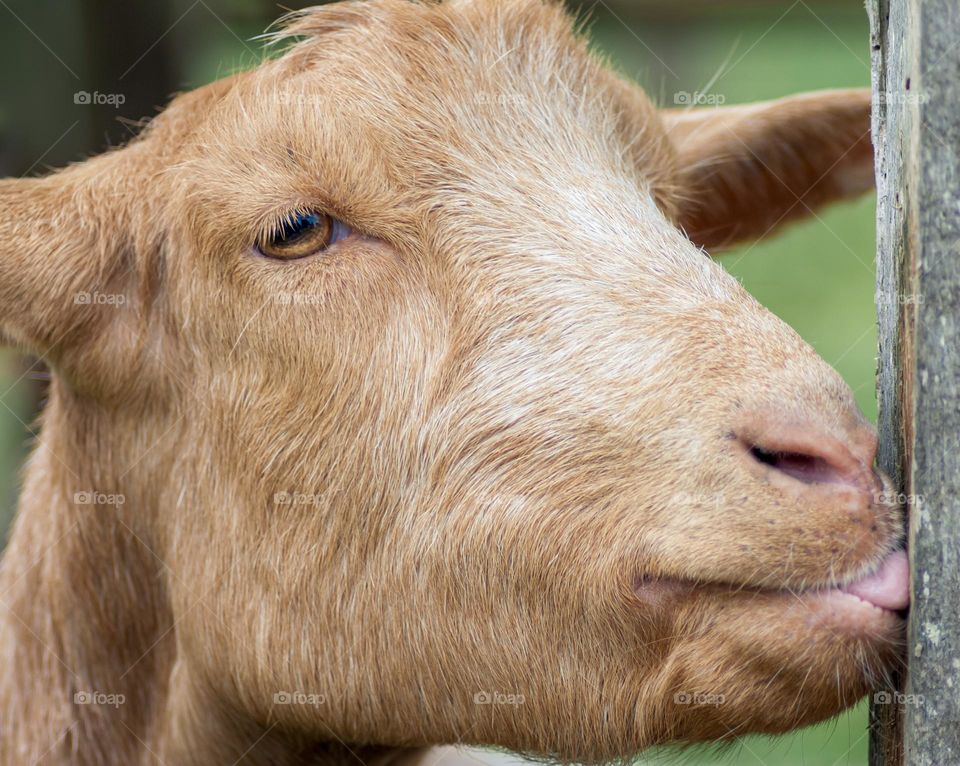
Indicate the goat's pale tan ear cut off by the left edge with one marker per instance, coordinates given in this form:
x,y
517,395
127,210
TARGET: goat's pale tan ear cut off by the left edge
x,y
54,257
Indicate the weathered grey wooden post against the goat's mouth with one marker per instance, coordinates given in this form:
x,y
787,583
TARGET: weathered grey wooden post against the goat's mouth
x,y
916,126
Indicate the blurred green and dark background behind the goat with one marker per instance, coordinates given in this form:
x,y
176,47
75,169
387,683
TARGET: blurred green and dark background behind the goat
x,y
817,275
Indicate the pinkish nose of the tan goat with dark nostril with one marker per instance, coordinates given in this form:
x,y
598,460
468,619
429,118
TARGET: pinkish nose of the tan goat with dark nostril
x,y
811,454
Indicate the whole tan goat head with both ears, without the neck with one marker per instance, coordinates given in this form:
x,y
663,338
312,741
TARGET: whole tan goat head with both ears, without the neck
x,y
454,408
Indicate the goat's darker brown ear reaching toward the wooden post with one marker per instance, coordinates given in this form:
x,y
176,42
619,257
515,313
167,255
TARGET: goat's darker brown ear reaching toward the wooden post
x,y
743,171
